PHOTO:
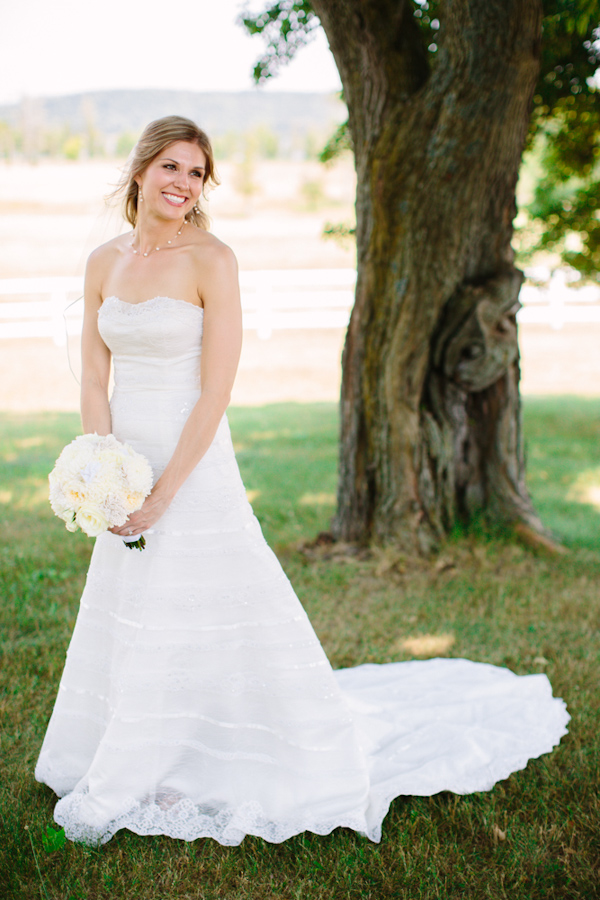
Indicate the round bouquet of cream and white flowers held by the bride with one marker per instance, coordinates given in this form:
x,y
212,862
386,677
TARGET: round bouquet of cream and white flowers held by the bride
x,y
97,482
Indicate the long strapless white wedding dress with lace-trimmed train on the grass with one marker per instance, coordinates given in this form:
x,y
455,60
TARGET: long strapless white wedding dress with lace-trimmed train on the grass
x,y
196,700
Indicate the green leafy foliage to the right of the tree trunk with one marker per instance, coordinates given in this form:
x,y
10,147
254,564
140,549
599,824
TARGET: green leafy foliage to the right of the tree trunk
x,y
566,128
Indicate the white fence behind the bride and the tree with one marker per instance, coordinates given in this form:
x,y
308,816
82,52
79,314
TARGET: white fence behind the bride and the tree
x,y
273,299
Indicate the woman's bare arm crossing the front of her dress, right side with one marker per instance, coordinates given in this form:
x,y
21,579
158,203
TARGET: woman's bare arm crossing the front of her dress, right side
x,y
221,345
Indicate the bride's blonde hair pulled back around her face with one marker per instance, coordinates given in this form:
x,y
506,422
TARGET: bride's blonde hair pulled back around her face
x,y
155,137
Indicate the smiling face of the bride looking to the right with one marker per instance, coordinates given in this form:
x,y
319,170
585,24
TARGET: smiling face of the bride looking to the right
x,y
172,183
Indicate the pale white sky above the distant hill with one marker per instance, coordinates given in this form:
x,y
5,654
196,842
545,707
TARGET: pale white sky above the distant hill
x,y
69,46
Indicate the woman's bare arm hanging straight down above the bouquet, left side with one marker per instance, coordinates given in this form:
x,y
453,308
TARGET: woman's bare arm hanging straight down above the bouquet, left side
x,y
95,355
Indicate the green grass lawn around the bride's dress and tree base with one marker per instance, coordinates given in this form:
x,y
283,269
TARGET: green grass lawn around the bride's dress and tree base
x,y
536,836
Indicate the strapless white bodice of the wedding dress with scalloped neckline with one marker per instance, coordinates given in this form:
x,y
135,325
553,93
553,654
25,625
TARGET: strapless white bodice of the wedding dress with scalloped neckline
x,y
155,344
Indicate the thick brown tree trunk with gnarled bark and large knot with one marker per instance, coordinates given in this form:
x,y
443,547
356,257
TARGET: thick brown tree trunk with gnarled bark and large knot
x,y
430,410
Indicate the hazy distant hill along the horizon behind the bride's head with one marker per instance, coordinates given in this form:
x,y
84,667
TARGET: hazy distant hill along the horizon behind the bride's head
x,y
116,112
